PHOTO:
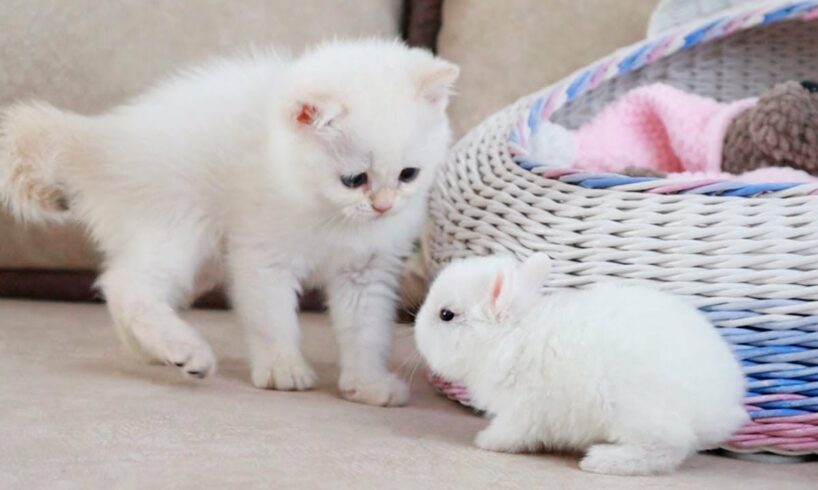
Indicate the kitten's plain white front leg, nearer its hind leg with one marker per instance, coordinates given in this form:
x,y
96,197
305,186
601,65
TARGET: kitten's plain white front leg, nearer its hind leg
x,y
266,300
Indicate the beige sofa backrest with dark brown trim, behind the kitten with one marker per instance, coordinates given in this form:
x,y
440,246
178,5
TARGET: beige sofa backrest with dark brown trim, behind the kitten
x,y
87,55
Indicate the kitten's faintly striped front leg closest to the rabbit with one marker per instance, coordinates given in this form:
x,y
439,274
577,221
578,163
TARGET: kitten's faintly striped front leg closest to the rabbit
x,y
362,305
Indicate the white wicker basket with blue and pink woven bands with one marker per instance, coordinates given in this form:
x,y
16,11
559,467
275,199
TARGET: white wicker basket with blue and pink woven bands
x,y
747,255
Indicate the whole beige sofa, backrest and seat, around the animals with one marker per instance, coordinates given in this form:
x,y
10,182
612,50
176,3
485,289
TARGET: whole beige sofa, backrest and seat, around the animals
x,y
75,413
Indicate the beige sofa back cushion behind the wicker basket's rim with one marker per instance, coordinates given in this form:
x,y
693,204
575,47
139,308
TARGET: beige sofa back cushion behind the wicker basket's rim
x,y
495,43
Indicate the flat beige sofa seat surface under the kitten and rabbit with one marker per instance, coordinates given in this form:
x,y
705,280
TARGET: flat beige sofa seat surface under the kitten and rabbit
x,y
75,413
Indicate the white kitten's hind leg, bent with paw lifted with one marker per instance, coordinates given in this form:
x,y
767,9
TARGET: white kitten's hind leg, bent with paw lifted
x,y
142,290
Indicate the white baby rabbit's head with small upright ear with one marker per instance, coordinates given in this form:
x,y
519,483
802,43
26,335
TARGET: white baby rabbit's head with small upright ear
x,y
471,304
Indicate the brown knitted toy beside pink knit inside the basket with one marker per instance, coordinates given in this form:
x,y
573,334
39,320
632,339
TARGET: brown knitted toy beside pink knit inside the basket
x,y
781,130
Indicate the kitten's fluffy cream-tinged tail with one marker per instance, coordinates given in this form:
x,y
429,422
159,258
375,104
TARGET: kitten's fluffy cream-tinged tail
x,y
37,140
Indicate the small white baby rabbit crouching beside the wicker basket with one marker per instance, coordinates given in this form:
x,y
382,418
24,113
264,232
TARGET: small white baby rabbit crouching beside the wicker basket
x,y
635,377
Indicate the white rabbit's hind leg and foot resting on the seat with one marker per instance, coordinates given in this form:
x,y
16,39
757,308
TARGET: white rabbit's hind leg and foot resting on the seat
x,y
646,443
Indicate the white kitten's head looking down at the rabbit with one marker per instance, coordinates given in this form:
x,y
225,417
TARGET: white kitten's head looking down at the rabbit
x,y
368,122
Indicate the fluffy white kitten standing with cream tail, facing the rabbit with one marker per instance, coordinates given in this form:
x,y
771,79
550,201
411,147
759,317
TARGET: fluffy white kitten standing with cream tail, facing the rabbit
x,y
313,170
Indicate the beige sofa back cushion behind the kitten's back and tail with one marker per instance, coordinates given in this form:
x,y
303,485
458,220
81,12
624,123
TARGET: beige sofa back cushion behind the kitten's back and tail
x,y
87,55
